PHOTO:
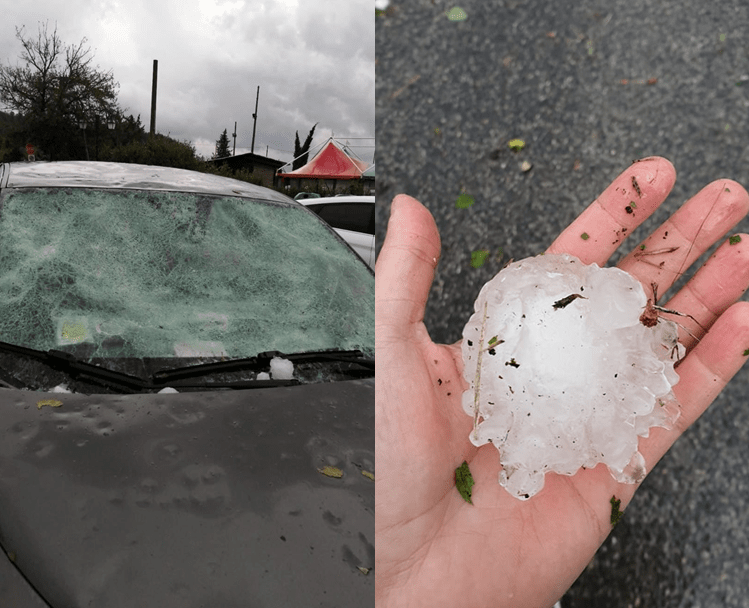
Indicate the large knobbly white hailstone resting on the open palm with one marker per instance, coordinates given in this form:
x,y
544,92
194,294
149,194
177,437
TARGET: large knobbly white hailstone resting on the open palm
x,y
562,372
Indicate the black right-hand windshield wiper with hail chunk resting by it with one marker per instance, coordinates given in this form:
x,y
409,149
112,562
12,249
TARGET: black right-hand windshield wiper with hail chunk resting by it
x,y
261,362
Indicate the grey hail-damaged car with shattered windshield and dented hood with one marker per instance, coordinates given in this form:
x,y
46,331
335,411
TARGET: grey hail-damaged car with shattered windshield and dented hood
x,y
187,394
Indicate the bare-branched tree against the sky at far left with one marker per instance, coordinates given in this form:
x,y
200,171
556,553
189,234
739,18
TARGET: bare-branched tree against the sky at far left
x,y
56,88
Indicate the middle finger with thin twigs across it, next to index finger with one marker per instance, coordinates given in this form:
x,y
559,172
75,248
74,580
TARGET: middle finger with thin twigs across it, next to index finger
x,y
687,234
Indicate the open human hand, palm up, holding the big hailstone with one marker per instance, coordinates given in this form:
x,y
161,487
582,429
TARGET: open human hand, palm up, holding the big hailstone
x,y
433,548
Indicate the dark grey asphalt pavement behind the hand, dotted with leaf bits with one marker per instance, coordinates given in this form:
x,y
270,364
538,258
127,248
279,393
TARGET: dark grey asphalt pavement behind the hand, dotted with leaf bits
x,y
588,87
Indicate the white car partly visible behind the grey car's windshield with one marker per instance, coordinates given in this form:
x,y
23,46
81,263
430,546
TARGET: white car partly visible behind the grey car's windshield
x,y
352,217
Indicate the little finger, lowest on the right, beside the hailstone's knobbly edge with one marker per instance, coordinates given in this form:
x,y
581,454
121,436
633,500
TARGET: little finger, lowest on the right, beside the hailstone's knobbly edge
x,y
703,375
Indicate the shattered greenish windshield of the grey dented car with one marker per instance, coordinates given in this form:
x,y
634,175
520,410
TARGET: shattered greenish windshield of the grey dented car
x,y
125,273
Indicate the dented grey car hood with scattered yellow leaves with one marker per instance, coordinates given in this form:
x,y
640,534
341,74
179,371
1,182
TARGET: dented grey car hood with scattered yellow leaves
x,y
226,498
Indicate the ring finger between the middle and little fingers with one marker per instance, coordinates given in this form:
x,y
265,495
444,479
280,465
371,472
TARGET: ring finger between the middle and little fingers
x,y
720,282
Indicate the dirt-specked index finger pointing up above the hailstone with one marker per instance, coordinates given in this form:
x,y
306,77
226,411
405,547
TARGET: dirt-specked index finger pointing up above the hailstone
x,y
624,205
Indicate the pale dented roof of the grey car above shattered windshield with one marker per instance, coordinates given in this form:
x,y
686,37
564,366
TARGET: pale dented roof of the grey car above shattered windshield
x,y
92,174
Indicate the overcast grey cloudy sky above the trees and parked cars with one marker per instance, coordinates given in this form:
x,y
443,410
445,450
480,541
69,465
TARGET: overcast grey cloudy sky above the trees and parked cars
x,y
313,60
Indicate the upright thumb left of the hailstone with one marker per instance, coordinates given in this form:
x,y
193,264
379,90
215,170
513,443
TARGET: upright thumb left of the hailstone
x,y
405,266
